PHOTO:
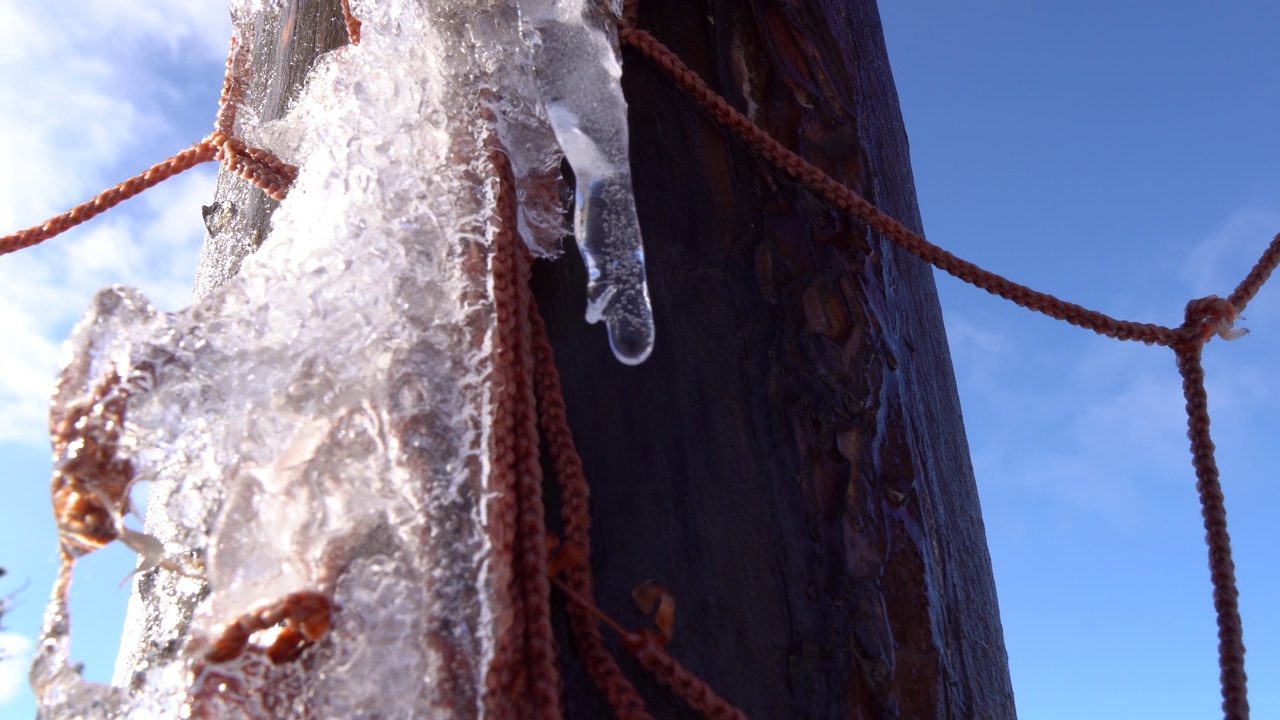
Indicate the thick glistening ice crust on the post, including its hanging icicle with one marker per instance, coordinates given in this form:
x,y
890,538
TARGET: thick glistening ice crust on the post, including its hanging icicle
x,y
322,422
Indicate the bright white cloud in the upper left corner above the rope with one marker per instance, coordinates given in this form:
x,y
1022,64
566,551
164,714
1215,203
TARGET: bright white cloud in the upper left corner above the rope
x,y
70,107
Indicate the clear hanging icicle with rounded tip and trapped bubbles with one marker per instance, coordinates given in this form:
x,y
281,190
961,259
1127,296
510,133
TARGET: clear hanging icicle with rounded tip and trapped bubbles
x,y
579,71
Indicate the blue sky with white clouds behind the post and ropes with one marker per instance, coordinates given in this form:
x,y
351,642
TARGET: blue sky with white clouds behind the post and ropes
x,y
1118,154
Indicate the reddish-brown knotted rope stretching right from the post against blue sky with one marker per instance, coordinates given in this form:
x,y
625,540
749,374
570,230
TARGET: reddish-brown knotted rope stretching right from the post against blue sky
x,y
1205,318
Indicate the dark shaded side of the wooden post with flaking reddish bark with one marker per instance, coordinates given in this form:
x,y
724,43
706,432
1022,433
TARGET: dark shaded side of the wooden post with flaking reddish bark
x,y
792,461
